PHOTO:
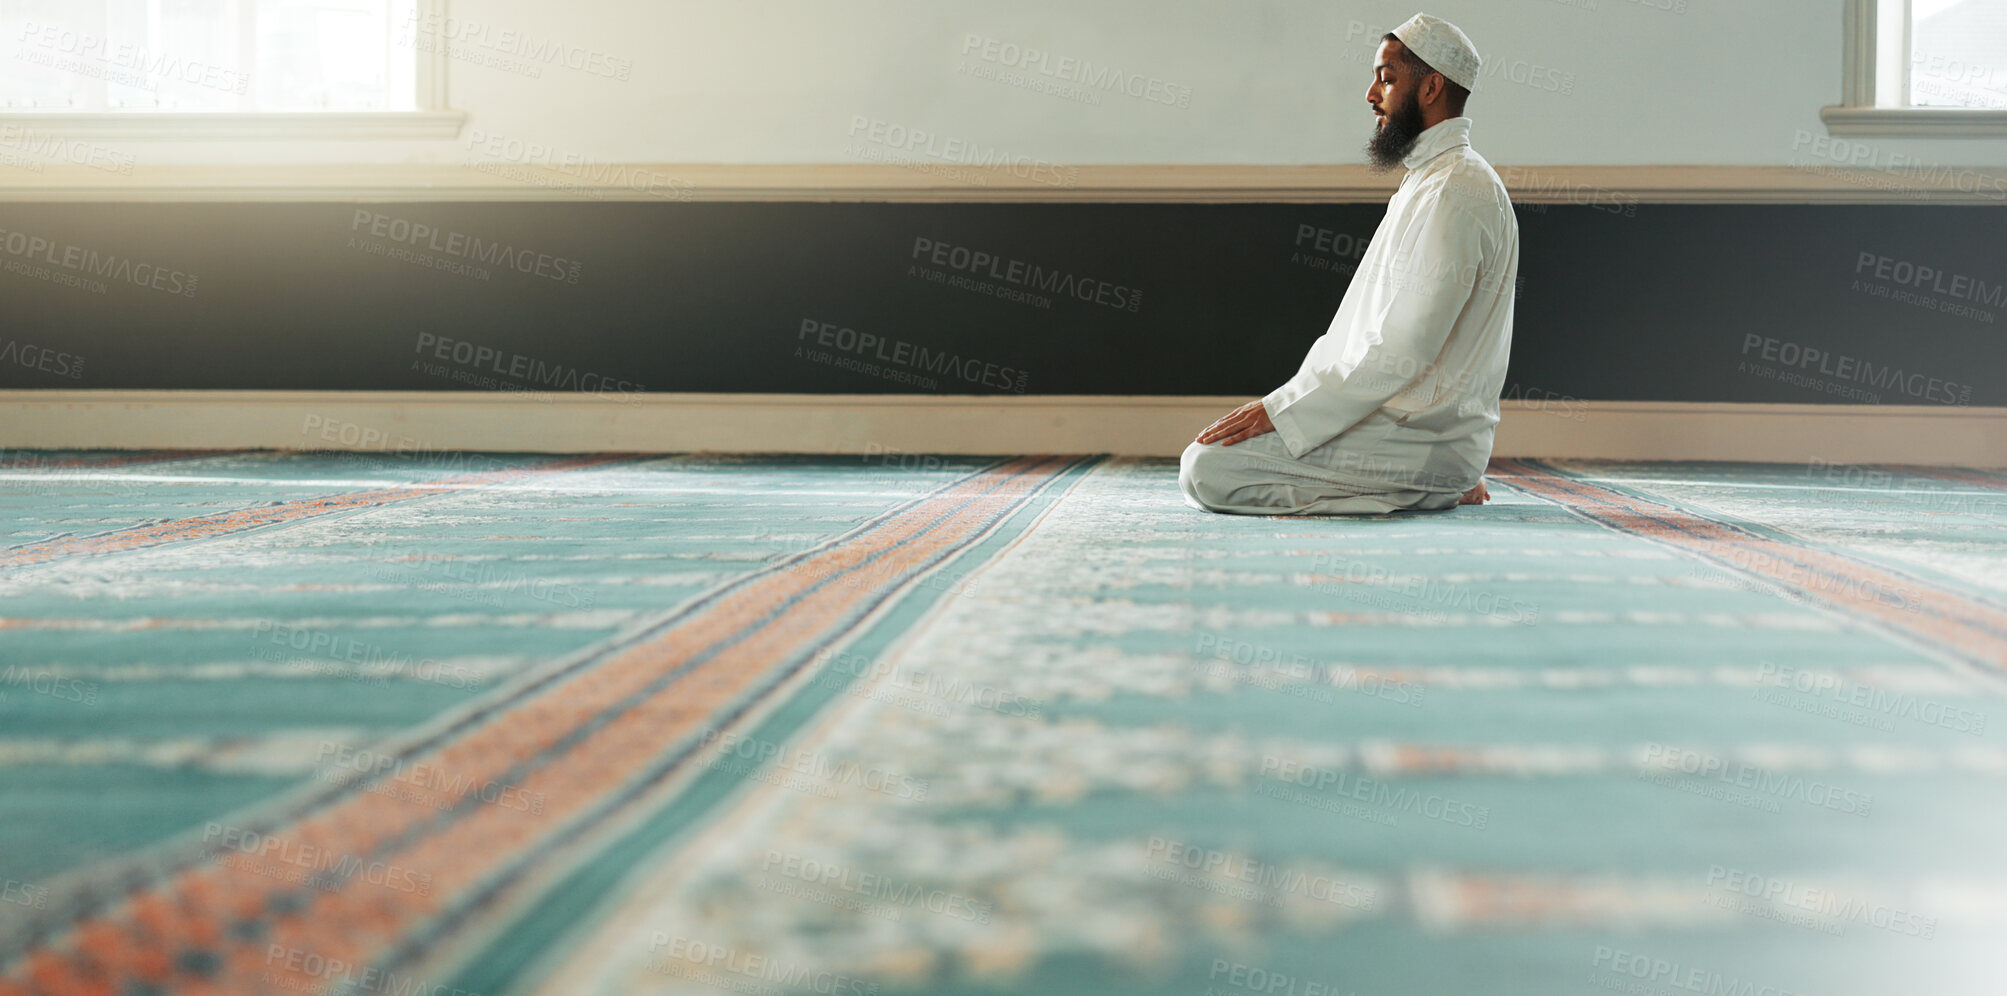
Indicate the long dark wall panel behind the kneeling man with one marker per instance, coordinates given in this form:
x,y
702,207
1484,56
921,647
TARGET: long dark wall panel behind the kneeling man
x,y
1665,302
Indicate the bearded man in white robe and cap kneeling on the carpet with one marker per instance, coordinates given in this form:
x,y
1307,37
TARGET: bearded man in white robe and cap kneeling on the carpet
x,y
1396,405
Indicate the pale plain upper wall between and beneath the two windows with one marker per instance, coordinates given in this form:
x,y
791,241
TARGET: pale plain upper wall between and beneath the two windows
x,y
1273,81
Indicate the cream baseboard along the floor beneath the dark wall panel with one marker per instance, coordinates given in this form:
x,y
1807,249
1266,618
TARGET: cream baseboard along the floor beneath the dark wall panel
x,y
940,425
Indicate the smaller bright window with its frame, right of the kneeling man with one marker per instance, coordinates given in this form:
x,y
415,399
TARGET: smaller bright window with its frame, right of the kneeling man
x,y
1924,69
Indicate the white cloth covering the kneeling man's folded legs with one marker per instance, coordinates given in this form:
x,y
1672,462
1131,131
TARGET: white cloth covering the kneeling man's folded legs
x,y
1259,479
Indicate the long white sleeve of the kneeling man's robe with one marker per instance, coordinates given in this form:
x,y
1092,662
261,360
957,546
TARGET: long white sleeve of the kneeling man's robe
x,y
1410,308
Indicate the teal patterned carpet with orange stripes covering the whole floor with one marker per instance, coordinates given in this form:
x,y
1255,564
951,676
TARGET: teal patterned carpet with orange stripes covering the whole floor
x,y
691,724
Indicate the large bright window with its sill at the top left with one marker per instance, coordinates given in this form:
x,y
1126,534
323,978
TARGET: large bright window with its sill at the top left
x,y
226,67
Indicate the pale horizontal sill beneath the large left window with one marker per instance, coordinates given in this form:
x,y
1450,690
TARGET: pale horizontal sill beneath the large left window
x,y
242,126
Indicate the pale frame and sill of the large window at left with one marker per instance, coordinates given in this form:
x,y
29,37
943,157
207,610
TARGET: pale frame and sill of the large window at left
x,y
433,119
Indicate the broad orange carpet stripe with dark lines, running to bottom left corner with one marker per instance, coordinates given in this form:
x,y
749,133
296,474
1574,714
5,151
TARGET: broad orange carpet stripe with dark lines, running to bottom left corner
x,y
573,750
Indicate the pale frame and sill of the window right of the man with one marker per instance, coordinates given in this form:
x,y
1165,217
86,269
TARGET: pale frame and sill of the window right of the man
x,y
1876,73
